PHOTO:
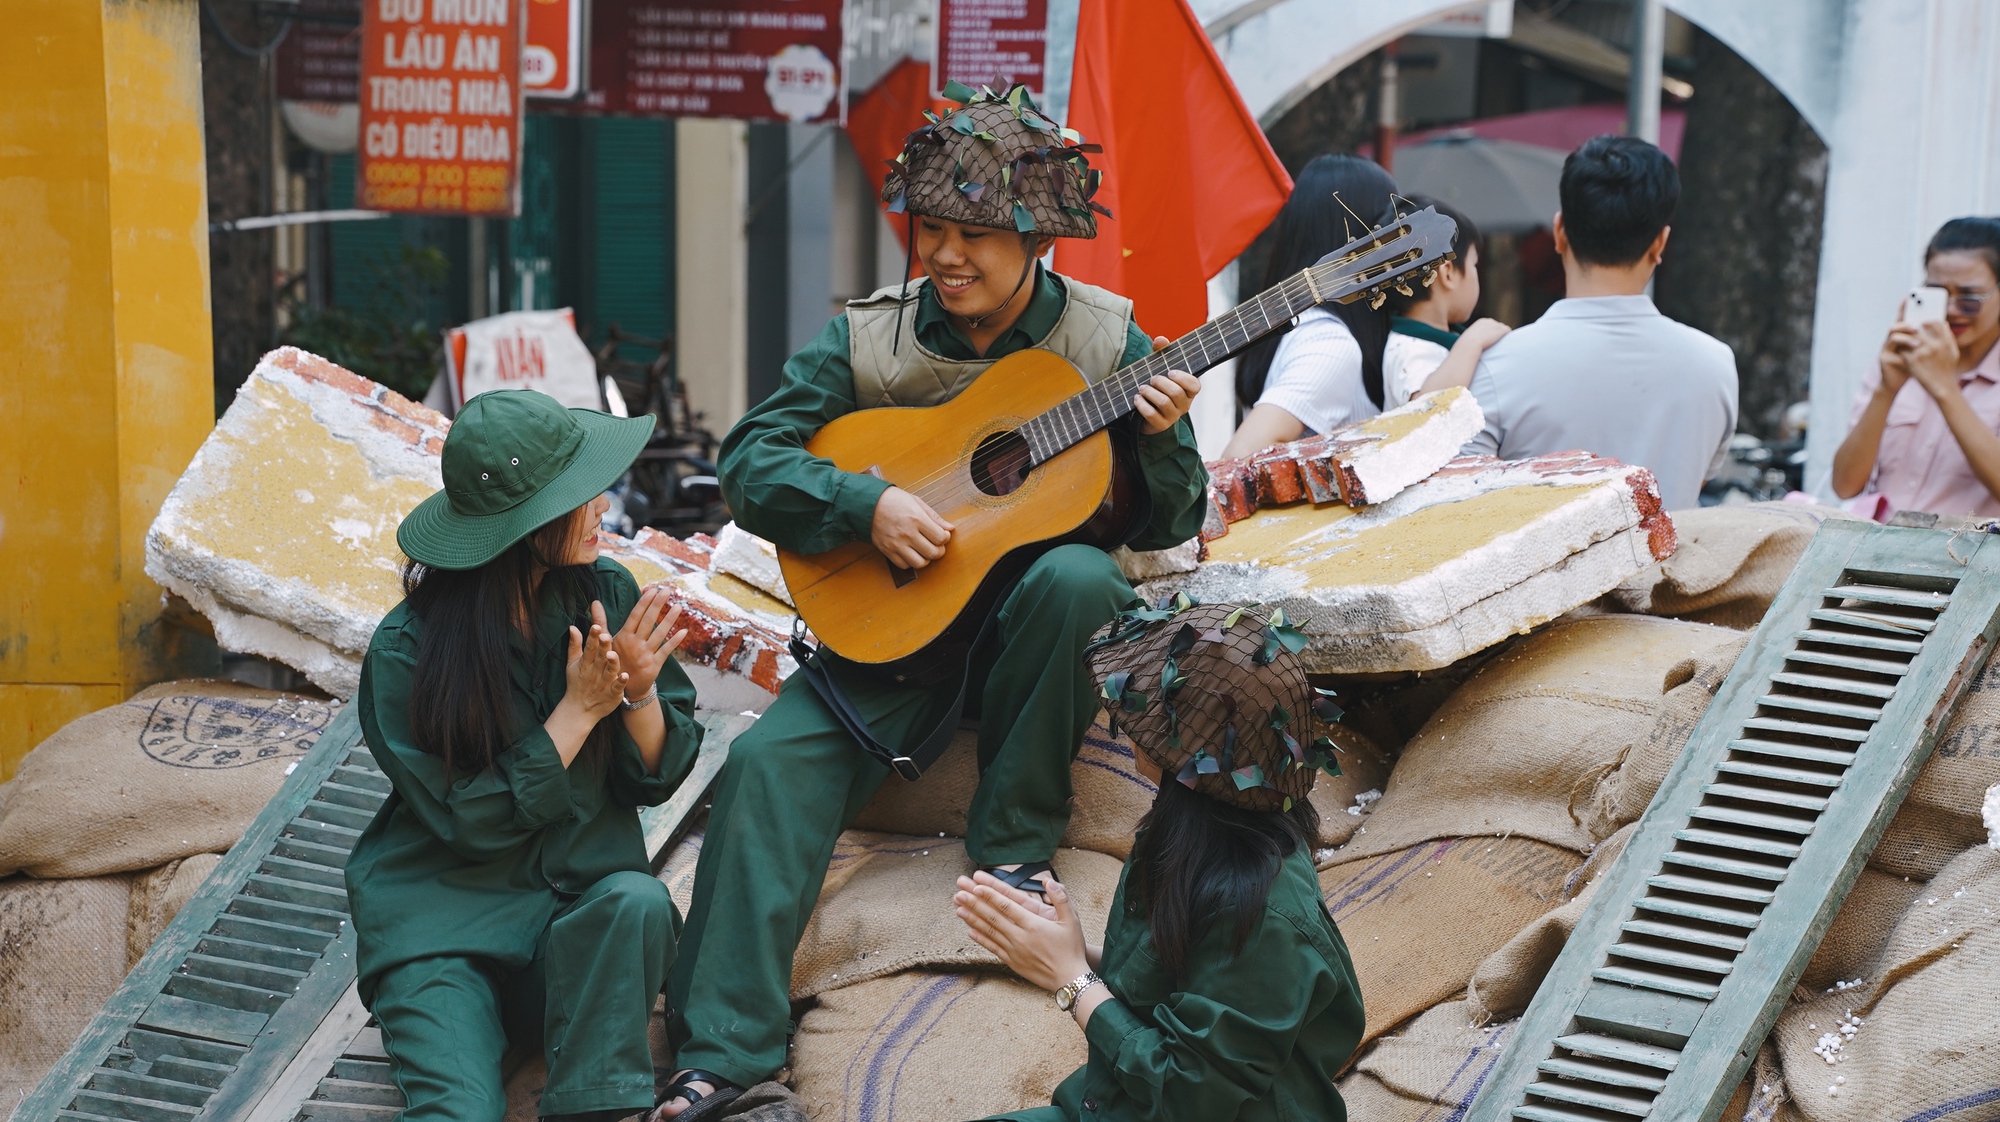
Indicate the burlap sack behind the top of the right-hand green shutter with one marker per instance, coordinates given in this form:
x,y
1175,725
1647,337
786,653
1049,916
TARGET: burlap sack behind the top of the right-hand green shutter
x,y
1731,563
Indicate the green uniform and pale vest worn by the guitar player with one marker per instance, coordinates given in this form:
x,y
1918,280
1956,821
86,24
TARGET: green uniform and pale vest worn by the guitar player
x,y
797,779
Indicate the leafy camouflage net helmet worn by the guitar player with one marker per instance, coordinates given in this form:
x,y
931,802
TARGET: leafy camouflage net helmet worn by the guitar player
x,y
999,163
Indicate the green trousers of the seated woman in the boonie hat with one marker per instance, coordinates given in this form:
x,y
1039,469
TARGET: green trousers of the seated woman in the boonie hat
x,y
585,999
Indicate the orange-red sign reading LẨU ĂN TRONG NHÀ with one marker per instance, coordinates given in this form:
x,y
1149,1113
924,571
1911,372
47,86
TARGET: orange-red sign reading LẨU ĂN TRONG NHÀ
x,y
441,107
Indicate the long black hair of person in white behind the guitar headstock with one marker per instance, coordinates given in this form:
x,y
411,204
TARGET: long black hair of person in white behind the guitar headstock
x,y
1313,225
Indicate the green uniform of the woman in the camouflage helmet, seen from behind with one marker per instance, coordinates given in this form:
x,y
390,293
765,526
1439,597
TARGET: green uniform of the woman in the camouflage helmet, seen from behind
x,y
1247,1037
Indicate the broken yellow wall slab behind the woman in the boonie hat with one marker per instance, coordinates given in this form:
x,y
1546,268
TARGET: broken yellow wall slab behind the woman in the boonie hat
x,y
283,533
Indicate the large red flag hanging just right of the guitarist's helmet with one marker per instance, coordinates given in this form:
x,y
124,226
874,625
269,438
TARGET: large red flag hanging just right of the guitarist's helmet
x,y
1187,171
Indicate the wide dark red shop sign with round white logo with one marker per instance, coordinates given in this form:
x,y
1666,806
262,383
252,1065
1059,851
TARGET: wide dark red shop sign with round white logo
x,y
729,59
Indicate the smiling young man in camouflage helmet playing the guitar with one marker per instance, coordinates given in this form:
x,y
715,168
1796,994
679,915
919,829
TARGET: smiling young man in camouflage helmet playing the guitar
x,y
989,189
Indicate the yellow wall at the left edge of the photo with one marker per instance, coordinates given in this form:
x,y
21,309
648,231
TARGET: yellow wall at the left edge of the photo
x,y
105,343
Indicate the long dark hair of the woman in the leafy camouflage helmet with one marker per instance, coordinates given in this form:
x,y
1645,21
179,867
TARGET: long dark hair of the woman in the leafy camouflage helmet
x,y
1197,859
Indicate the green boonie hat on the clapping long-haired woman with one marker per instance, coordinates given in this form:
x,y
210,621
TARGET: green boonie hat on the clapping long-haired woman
x,y
513,463
